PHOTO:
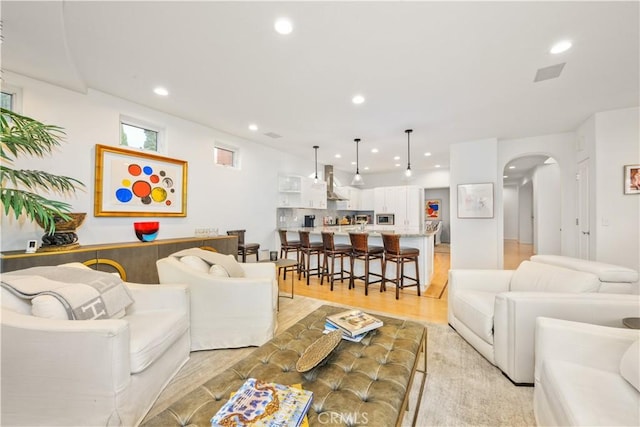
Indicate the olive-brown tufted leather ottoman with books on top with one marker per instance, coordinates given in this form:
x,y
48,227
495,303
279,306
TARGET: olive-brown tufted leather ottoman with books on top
x,y
364,383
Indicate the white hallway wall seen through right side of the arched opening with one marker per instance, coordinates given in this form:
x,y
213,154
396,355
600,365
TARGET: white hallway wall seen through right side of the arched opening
x,y
547,210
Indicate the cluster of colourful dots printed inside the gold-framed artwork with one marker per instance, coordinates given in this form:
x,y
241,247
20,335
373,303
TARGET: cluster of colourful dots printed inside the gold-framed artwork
x,y
146,185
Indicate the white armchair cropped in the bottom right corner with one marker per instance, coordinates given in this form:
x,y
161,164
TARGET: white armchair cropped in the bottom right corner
x,y
586,374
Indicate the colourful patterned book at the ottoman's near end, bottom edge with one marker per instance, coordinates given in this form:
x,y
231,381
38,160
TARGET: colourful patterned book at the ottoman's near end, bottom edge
x,y
257,403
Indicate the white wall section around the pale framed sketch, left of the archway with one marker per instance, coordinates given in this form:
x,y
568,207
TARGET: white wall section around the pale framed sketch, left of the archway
x,y
474,242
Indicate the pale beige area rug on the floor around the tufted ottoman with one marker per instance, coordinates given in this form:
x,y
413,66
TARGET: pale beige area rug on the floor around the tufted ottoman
x,y
462,388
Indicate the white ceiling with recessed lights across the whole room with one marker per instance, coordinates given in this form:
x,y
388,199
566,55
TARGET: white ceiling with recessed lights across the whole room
x,y
451,71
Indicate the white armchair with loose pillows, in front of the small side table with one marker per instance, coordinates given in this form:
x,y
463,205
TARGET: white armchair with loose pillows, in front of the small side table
x,y
226,312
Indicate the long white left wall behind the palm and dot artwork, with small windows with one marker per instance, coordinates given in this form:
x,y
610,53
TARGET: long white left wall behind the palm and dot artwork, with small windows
x,y
217,197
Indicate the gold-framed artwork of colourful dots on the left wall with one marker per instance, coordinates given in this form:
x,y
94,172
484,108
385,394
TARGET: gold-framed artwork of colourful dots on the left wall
x,y
133,183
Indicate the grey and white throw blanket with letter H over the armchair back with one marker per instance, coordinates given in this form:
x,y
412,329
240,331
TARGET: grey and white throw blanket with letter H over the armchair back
x,y
85,294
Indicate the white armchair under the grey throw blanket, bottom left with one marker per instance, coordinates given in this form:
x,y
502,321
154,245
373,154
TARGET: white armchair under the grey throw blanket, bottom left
x,y
92,372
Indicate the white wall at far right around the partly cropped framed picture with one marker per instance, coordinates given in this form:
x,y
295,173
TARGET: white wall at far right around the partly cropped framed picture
x,y
617,216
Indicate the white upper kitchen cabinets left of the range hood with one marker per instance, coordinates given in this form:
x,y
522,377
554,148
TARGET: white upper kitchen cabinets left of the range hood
x,y
301,192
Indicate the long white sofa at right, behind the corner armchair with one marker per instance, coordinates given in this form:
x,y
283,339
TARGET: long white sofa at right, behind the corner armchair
x,y
495,310
